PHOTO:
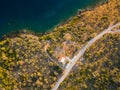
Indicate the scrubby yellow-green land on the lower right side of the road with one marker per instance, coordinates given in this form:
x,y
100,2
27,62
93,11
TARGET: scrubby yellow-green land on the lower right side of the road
x,y
101,68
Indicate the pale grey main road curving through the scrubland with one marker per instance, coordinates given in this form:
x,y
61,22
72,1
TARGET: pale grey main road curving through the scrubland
x,y
80,54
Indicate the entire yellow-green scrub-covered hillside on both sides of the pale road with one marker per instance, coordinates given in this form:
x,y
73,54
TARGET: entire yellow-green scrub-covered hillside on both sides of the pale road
x,y
31,61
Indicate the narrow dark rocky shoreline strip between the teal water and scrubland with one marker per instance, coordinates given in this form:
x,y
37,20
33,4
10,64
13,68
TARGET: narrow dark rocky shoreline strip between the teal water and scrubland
x,y
64,21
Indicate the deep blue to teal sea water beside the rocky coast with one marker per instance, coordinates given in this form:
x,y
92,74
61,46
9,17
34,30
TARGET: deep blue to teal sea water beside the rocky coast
x,y
38,15
